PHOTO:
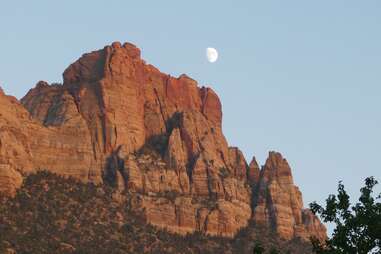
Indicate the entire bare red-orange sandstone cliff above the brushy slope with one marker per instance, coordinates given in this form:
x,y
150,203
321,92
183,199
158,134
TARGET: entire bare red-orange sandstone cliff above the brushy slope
x,y
119,120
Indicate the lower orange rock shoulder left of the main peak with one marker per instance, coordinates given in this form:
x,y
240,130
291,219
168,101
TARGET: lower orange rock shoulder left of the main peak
x,y
59,142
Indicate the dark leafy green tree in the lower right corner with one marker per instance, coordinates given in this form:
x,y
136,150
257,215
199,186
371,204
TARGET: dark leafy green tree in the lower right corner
x,y
358,227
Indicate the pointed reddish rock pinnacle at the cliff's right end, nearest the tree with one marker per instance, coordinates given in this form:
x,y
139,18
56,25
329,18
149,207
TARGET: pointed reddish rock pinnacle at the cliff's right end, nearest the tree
x,y
278,202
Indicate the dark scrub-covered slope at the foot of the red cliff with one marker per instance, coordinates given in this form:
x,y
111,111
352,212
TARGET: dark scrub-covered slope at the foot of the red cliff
x,y
53,214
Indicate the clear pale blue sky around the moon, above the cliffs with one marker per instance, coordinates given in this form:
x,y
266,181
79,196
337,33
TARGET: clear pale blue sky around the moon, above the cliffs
x,y
299,77
